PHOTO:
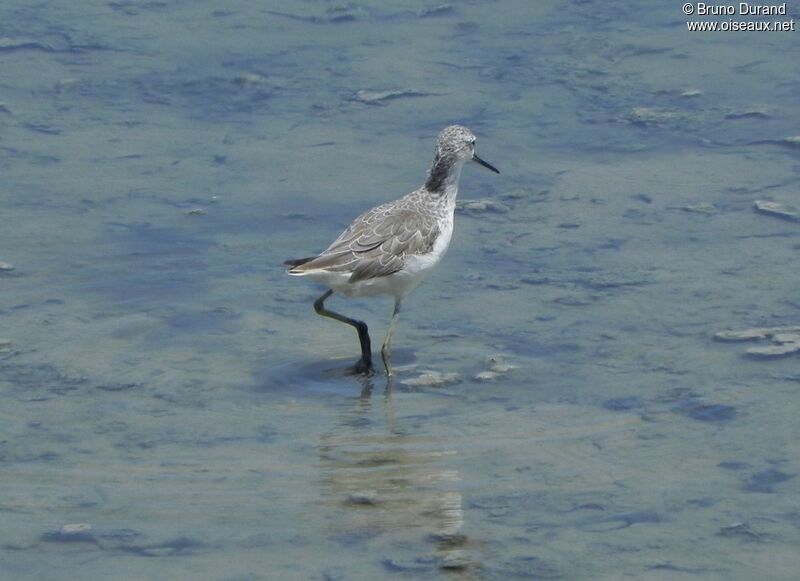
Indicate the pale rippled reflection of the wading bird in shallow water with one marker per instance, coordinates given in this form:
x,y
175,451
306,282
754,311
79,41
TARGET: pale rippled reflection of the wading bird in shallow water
x,y
383,479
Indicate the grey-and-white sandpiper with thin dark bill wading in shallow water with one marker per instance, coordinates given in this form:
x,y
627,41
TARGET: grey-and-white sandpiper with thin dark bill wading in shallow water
x,y
389,249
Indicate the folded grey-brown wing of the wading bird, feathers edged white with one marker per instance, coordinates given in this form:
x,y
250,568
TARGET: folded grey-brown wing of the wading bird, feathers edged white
x,y
377,243
